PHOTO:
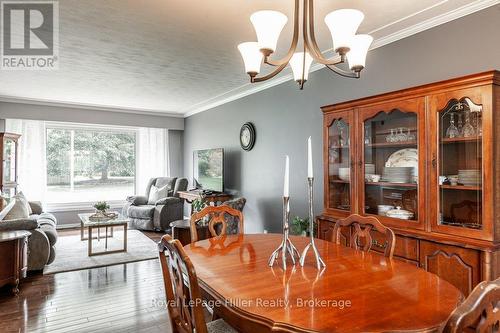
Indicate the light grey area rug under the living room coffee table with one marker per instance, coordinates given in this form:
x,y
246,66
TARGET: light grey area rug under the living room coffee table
x,y
72,253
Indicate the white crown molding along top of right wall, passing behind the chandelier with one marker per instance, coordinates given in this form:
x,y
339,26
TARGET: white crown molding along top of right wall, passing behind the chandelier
x,y
229,96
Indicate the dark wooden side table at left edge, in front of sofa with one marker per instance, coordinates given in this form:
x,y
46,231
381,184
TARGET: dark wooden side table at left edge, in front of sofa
x,y
14,258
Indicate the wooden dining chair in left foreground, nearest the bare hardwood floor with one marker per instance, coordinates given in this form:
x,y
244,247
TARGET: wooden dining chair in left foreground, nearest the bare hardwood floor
x,y
183,297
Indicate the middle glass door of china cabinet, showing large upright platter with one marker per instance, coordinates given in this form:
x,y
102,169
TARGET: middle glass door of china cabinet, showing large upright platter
x,y
392,166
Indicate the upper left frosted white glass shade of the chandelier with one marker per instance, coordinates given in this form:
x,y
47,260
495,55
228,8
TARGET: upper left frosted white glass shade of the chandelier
x,y
268,25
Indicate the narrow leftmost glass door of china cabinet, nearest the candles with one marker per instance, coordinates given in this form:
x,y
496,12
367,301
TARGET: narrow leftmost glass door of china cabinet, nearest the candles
x,y
339,170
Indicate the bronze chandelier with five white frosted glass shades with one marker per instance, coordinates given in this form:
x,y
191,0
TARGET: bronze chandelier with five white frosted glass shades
x,y
342,23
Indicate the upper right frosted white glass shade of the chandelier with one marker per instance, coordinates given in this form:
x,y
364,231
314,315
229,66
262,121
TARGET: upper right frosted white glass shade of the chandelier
x,y
343,24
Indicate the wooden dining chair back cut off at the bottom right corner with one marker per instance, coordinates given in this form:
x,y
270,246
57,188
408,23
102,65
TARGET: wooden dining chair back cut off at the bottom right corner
x,y
480,312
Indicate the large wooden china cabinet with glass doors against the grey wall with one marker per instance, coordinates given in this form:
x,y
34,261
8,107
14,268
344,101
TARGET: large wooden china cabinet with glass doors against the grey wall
x,y
422,160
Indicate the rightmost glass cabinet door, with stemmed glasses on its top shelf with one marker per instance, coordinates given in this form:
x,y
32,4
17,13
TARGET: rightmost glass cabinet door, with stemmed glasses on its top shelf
x,y
459,164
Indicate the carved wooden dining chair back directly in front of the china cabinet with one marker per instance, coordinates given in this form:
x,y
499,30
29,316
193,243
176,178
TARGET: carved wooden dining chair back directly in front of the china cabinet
x,y
361,228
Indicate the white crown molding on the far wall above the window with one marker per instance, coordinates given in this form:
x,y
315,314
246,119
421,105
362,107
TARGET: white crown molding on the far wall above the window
x,y
60,104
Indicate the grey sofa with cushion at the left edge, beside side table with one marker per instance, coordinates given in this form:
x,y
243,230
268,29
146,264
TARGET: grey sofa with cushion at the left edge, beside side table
x,y
41,243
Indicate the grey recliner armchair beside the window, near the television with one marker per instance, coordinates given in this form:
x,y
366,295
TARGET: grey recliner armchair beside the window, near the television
x,y
158,215
